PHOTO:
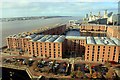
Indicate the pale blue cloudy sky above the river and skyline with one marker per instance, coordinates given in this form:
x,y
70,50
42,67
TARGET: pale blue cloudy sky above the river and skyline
x,y
22,8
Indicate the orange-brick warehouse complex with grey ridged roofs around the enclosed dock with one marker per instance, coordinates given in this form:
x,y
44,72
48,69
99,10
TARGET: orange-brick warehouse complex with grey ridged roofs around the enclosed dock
x,y
95,47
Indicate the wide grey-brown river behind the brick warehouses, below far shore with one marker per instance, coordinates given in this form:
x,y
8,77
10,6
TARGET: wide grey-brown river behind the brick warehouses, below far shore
x,y
15,27
